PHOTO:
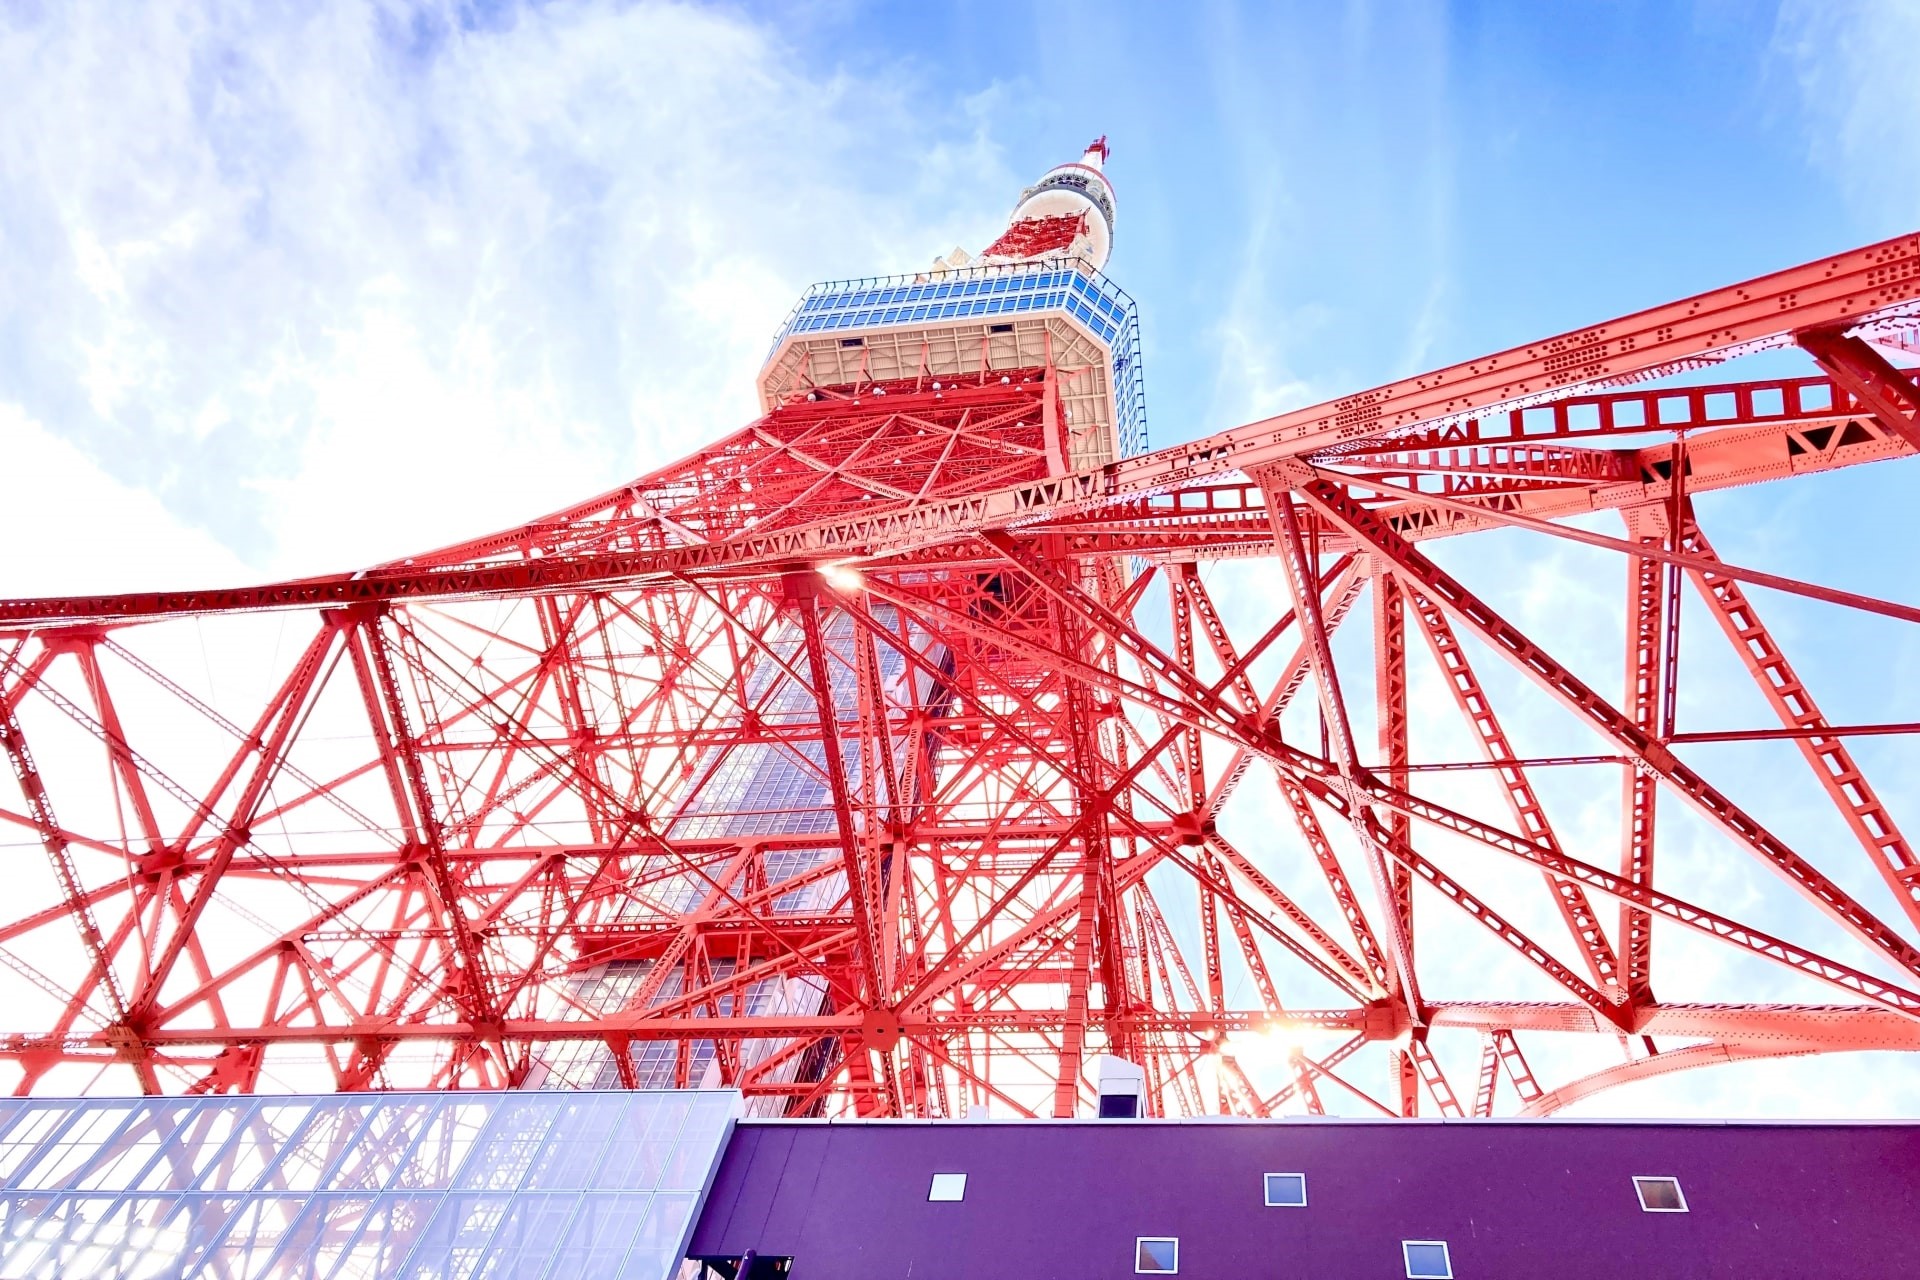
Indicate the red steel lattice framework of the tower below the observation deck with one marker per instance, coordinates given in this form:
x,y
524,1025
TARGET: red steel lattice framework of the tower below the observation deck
x,y
1047,769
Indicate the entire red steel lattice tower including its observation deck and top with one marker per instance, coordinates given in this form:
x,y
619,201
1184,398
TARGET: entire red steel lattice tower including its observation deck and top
x,y
928,738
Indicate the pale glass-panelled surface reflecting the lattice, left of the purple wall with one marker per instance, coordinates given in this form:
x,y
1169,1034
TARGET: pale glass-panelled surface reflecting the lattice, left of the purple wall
x,y
358,1185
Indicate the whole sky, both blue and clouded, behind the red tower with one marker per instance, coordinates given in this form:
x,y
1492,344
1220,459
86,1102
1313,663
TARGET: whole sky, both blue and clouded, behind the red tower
x,y
300,291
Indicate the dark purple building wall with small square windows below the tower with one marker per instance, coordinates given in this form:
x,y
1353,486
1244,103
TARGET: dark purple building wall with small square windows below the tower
x,y
1514,1200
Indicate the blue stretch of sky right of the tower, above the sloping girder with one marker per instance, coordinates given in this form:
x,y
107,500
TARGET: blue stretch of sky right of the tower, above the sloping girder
x,y
1356,193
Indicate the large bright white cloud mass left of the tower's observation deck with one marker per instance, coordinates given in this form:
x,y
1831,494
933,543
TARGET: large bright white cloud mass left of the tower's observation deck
x,y
352,281
